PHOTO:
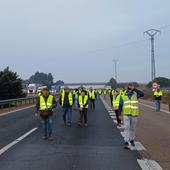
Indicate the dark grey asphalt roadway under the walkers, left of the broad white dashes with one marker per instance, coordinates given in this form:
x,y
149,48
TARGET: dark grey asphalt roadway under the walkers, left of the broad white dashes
x,y
97,147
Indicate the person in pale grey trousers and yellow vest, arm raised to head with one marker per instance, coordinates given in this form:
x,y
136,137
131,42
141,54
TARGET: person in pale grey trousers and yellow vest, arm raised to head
x,y
130,113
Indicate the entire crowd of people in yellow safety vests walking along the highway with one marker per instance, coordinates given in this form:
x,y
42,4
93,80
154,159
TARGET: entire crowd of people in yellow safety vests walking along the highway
x,y
125,103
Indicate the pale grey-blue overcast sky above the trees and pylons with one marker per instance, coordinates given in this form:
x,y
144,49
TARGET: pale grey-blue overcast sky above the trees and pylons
x,y
76,40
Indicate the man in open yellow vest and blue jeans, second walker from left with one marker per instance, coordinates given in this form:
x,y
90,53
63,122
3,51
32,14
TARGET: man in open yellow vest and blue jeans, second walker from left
x,y
66,101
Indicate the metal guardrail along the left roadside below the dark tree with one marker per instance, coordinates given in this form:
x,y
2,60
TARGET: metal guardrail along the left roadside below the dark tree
x,y
12,103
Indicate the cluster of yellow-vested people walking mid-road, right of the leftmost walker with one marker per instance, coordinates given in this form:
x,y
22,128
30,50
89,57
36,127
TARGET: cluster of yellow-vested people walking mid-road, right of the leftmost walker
x,y
78,99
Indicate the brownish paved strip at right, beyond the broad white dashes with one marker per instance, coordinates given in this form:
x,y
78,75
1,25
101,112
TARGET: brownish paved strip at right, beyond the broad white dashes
x,y
154,133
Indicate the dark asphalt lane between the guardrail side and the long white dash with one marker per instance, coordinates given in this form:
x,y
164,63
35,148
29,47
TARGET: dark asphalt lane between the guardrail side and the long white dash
x,y
16,124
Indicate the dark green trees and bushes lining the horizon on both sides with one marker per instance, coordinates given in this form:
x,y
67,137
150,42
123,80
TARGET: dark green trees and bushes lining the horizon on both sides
x,y
11,85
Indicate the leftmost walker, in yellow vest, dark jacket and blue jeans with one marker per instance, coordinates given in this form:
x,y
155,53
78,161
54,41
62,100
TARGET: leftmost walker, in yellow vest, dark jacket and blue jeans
x,y
45,105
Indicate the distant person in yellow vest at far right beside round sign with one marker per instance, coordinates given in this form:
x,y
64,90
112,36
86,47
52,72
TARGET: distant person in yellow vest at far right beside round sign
x,y
158,97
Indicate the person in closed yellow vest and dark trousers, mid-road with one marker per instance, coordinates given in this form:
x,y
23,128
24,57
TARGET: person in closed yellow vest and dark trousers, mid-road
x,y
83,105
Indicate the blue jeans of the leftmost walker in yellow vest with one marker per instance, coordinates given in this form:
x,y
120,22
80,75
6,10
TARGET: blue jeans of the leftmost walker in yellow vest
x,y
47,124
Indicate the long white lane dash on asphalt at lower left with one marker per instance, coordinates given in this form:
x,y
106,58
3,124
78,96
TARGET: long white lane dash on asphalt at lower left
x,y
4,149
